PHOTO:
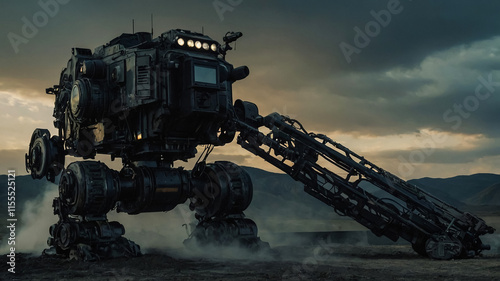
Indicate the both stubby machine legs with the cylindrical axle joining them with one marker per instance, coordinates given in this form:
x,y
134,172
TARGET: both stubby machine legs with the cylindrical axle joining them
x,y
88,190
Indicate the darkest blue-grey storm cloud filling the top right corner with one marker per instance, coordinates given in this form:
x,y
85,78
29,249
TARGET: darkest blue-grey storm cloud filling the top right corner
x,y
422,28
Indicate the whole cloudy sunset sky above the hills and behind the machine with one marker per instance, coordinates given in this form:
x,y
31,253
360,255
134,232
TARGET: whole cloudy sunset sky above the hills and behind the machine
x,y
414,86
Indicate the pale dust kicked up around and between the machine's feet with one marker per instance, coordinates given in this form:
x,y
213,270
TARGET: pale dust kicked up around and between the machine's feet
x,y
165,231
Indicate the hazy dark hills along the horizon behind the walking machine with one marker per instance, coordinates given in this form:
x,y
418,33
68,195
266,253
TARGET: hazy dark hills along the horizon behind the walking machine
x,y
278,195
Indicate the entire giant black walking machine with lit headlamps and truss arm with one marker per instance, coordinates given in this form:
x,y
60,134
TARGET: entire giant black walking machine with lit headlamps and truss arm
x,y
151,102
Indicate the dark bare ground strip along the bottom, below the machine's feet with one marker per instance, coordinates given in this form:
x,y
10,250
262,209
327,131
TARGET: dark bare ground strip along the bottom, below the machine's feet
x,y
314,262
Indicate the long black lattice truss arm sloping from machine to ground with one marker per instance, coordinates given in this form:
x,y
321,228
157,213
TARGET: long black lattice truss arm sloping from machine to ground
x,y
355,187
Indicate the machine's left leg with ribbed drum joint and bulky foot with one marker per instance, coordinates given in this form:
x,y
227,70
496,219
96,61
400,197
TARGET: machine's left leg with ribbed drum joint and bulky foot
x,y
87,191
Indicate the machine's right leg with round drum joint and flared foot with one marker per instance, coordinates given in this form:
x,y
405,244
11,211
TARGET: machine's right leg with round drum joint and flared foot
x,y
223,191
